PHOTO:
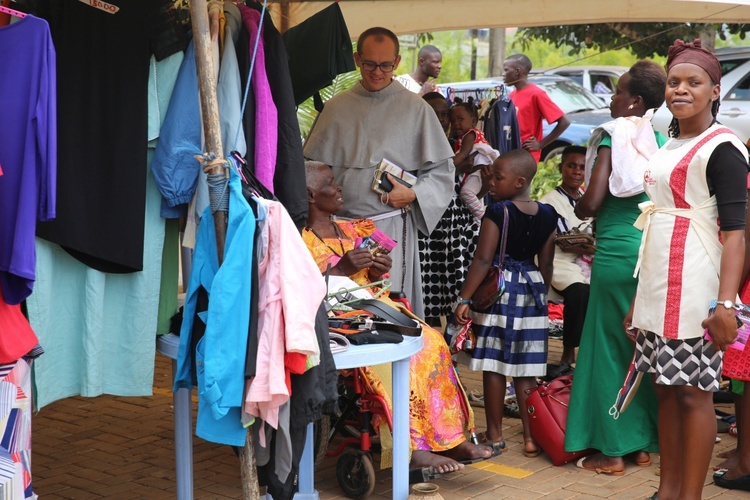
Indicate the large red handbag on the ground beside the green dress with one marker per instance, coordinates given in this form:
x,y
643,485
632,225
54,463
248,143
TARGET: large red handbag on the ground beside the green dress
x,y
547,406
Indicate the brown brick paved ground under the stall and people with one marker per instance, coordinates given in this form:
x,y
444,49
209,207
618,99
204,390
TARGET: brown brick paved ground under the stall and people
x,y
116,447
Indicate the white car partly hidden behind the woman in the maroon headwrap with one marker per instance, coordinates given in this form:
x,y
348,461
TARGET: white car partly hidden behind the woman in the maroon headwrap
x,y
734,111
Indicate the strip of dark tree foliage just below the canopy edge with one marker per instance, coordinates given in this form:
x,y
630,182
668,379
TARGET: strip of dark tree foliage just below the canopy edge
x,y
645,40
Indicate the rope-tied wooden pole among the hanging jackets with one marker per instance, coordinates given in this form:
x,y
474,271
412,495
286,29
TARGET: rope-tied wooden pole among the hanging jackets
x,y
212,132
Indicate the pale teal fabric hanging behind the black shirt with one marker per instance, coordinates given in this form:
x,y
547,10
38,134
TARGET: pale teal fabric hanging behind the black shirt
x,y
97,329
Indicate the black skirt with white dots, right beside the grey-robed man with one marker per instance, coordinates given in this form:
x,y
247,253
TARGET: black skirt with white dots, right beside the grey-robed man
x,y
445,256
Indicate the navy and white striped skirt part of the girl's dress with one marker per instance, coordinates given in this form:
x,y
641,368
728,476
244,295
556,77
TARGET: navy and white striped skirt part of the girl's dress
x,y
512,334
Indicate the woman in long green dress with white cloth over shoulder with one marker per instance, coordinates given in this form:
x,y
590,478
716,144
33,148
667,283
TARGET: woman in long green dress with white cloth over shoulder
x,y
613,195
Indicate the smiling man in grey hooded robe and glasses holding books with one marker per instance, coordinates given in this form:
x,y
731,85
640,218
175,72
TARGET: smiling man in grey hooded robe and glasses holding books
x,y
378,118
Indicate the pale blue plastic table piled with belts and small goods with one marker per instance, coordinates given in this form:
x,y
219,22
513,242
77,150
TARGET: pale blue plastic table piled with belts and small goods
x,y
355,356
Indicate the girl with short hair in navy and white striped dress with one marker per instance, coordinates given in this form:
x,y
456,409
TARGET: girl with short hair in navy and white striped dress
x,y
512,333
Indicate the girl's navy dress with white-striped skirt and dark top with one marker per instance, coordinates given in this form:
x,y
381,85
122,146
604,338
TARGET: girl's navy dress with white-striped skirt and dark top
x,y
512,334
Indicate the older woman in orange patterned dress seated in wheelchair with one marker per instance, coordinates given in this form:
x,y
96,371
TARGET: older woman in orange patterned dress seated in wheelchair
x,y
439,412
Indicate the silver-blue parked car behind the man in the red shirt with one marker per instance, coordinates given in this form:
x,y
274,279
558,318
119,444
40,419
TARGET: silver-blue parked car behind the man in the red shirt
x,y
583,108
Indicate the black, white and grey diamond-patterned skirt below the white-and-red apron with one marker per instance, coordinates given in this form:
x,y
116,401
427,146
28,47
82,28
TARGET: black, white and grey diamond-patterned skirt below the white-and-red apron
x,y
693,362
